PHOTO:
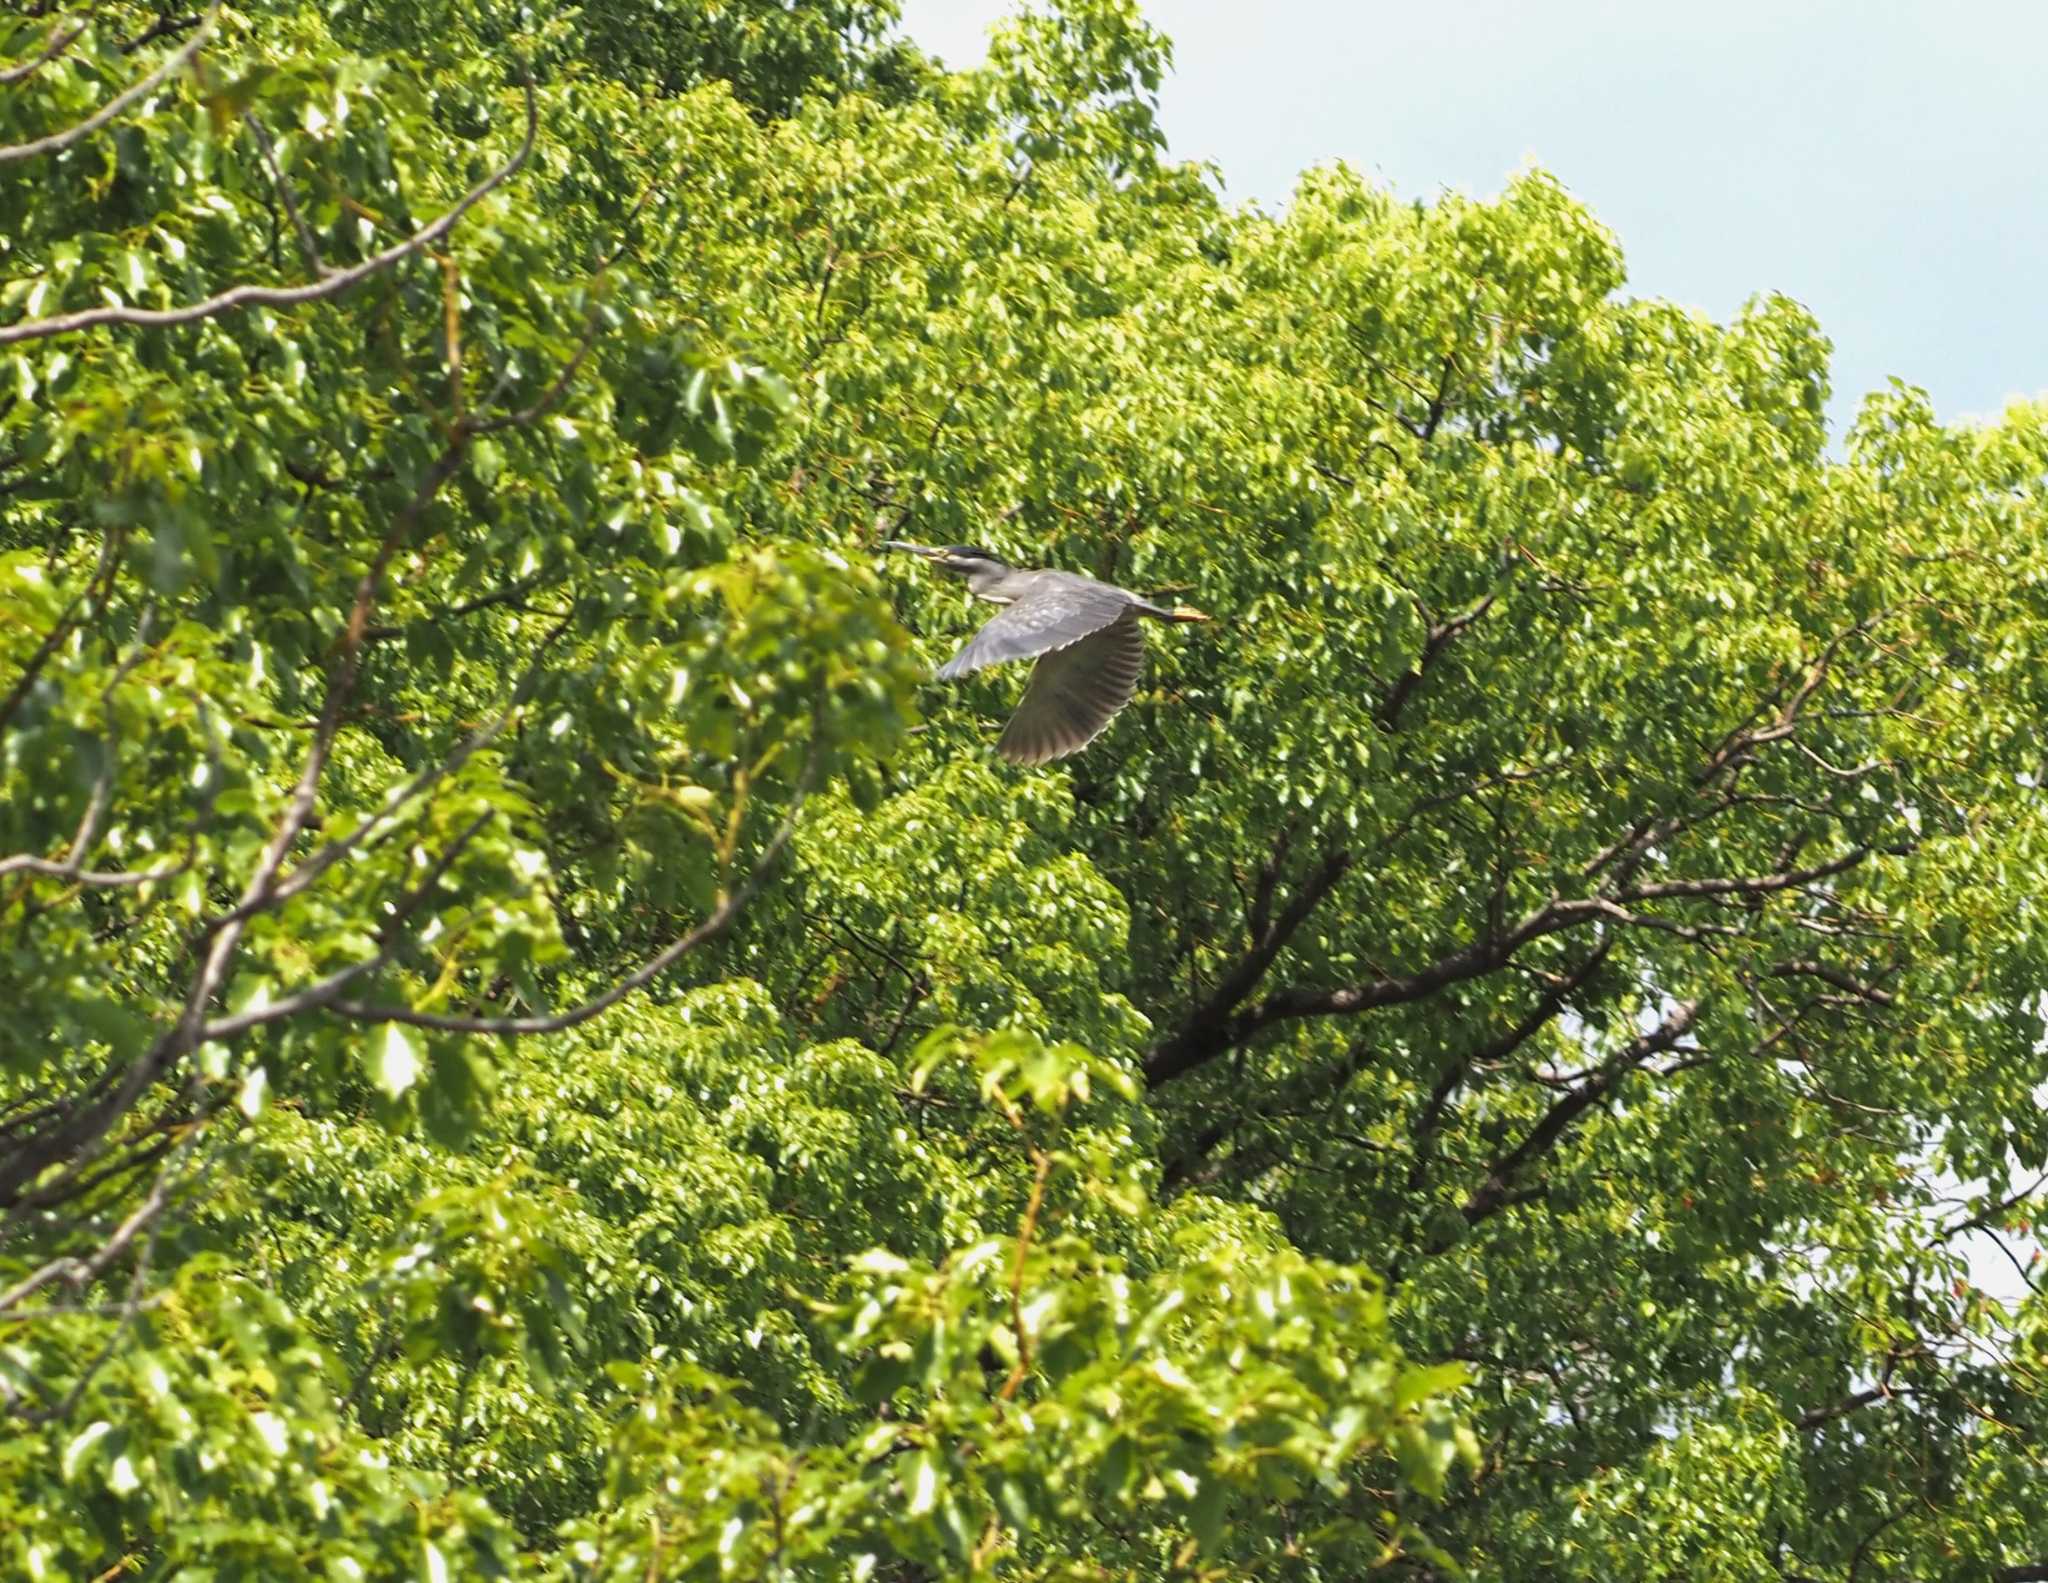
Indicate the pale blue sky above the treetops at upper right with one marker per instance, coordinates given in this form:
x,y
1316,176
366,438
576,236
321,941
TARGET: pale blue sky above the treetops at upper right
x,y
1881,161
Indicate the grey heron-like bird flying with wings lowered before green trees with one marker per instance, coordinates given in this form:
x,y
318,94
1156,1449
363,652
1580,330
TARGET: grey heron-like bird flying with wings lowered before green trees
x,y
1084,634
